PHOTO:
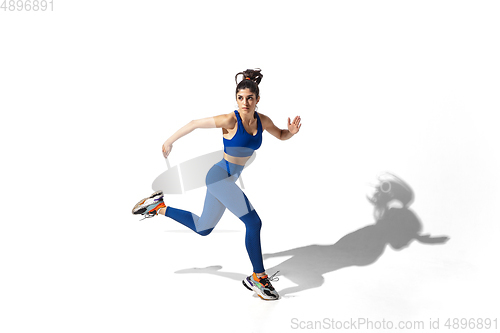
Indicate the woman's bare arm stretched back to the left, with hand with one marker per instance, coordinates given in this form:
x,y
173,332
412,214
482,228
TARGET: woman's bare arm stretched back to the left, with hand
x,y
222,121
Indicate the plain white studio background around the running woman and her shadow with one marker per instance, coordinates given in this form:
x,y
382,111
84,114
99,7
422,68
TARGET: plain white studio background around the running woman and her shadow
x,y
90,91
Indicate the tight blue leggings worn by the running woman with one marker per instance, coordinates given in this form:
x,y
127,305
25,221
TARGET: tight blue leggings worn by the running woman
x,y
222,193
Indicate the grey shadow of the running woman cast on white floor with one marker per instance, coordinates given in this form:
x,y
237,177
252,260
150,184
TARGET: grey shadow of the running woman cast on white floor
x,y
394,226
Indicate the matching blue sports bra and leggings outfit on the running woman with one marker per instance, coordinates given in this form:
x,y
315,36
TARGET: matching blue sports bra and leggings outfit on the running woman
x,y
222,193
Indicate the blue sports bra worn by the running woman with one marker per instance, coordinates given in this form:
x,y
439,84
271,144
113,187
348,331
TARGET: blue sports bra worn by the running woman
x,y
243,144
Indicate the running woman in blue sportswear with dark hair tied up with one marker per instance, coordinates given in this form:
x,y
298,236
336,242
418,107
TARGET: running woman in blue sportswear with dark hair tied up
x,y
242,135
